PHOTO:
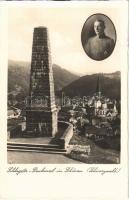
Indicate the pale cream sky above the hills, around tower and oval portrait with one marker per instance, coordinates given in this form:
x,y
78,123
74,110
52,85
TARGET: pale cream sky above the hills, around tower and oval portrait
x,y
64,25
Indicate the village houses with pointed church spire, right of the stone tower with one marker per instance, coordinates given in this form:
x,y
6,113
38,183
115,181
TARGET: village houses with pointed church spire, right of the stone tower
x,y
94,116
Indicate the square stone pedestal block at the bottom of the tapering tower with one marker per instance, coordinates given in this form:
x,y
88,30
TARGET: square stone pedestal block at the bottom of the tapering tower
x,y
41,123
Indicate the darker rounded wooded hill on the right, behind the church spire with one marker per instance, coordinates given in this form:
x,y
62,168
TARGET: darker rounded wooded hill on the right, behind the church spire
x,y
86,85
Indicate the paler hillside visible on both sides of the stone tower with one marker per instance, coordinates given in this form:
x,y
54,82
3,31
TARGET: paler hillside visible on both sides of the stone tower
x,y
19,76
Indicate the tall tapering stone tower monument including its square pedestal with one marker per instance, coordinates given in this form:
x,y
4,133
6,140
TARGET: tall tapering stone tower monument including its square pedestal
x,y
41,112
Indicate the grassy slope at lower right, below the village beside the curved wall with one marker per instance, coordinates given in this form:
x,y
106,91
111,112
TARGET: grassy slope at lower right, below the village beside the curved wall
x,y
97,155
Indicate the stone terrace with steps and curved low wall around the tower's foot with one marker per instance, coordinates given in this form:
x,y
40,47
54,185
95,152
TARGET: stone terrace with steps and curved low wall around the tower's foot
x,y
21,139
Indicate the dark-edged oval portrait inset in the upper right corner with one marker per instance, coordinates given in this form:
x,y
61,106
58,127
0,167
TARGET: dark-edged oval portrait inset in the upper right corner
x,y
98,37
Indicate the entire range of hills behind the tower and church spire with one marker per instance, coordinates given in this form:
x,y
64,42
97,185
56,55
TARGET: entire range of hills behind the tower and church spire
x,y
69,83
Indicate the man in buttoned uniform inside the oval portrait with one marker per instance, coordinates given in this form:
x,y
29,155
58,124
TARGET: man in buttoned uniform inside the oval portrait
x,y
100,46
